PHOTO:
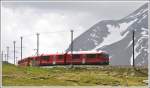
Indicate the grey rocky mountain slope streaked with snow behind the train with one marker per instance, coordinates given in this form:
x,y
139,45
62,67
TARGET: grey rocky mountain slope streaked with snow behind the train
x,y
115,37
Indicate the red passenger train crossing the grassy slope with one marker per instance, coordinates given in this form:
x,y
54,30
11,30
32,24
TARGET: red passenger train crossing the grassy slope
x,y
79,58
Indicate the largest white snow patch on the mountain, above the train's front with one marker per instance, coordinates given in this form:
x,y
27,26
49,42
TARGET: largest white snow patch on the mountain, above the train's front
x,y
115,33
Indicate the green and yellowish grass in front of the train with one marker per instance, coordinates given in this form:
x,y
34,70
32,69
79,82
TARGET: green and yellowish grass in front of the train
x,y
107,75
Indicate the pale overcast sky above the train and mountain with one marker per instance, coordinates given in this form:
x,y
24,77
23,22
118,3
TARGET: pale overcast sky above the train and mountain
x,y
54,20
